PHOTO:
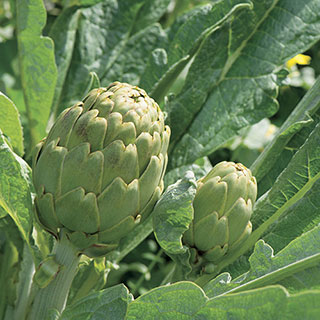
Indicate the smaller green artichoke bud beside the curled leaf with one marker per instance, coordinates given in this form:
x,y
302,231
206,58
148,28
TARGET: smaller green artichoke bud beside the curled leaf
x,y
222,209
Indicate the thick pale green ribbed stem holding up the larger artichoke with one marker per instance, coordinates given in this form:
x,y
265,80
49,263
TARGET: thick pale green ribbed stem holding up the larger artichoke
x,y
54,296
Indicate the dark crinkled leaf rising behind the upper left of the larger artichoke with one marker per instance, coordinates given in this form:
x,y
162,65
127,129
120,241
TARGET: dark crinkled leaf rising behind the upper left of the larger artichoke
x,y
111,23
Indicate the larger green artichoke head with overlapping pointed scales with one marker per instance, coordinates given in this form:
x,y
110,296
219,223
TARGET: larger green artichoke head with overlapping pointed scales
x,y
100,170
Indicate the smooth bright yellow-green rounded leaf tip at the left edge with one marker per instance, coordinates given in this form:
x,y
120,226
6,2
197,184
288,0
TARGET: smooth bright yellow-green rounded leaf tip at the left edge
x,y
10,123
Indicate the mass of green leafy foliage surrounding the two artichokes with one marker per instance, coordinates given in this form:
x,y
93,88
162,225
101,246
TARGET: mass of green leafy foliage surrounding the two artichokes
x,y
225,74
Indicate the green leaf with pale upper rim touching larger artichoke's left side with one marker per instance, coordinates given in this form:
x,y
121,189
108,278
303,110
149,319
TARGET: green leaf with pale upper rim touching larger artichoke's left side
x,y
15,195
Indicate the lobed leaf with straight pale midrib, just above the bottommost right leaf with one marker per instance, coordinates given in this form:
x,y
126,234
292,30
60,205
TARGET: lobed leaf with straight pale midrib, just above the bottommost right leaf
x,y
291,267
